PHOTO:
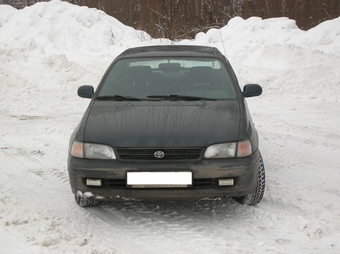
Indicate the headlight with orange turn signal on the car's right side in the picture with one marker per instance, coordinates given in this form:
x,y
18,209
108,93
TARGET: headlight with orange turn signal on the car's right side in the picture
x,y
229,150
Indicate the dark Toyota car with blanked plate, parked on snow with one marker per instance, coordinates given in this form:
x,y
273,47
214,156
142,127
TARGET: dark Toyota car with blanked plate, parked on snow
x,y
166,122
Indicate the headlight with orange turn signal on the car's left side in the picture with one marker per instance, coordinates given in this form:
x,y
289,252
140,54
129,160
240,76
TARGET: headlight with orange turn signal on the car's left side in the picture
x,y
92,151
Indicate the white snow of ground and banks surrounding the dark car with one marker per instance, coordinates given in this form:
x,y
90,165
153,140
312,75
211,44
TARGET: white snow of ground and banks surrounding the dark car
x,y
48,50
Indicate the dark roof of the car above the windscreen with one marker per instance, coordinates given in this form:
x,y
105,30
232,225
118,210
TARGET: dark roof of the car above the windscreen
x,y
172,51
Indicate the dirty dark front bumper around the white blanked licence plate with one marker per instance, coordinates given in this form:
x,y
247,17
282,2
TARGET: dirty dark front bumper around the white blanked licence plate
x,y
205,174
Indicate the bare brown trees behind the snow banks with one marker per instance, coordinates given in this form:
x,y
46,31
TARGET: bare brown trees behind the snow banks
x,y
178,19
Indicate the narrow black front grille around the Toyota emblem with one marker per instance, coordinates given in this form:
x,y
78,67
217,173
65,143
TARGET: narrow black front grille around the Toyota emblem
x,y
169,153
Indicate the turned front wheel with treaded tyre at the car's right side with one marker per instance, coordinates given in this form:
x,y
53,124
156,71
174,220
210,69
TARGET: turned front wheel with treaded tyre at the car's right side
x,y
256,197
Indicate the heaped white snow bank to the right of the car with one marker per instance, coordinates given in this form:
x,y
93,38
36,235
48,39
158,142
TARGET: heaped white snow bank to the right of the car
x,y
287,61
